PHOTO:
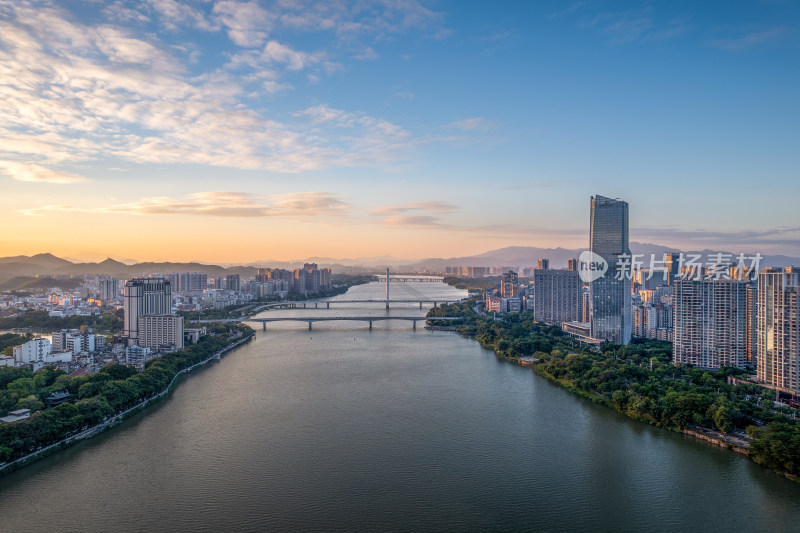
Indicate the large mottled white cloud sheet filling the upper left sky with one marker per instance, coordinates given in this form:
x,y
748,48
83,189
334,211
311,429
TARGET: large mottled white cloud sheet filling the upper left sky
x,y
78,93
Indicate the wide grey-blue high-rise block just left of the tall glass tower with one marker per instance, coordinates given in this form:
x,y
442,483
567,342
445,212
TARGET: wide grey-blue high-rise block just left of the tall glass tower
x,y
556,296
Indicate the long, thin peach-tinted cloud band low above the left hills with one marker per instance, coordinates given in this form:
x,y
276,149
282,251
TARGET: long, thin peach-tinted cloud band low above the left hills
x,y
219,204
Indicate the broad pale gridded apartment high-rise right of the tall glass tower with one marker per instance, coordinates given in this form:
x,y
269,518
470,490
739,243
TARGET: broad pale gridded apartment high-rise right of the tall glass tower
x,y
709,323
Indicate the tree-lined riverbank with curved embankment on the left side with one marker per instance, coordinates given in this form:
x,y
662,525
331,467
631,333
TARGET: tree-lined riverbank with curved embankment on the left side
x,y
71,437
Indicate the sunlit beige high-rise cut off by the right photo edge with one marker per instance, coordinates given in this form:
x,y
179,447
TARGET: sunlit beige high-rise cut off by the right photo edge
x,y
778,359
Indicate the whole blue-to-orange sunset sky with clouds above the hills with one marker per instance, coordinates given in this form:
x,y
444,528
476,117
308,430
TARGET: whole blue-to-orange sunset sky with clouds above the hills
x,y
229,131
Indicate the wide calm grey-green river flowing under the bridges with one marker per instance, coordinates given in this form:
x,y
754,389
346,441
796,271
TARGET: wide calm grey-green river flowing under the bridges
x,y
345,429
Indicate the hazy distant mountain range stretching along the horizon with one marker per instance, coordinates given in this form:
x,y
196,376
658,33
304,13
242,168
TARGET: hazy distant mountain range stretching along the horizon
x,y
16,271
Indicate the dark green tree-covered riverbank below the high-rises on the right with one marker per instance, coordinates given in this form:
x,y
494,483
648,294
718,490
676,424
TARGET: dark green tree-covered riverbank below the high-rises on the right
x,y
640,381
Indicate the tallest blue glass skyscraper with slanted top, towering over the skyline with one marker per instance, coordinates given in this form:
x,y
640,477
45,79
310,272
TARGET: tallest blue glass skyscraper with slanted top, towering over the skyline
x,y
610,297
